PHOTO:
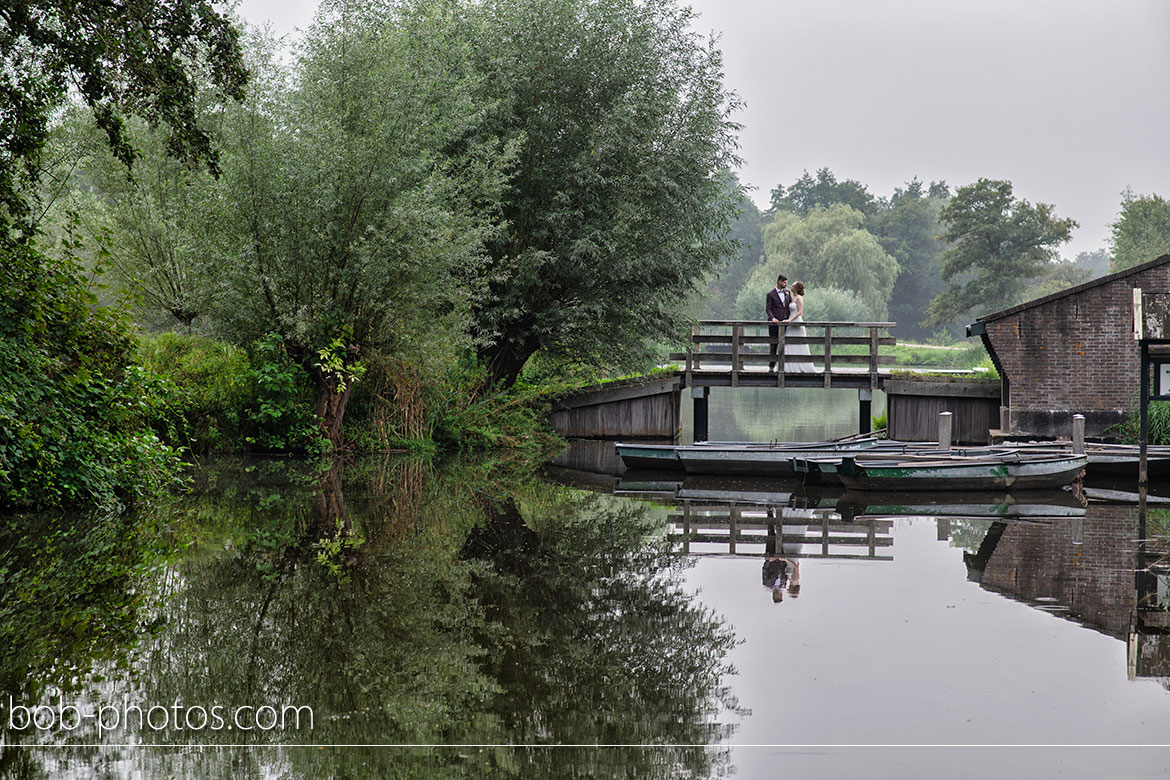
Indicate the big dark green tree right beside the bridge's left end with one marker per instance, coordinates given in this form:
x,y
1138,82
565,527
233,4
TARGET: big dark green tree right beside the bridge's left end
x,y
617,204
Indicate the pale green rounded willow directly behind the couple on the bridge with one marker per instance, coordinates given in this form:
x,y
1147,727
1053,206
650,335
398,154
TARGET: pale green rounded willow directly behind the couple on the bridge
x,y
830,249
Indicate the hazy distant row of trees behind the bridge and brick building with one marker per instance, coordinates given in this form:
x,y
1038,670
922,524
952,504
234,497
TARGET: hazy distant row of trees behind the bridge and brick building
x,y
925,258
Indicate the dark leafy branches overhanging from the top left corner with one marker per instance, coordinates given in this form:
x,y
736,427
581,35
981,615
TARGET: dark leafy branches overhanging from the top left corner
x,y
141,59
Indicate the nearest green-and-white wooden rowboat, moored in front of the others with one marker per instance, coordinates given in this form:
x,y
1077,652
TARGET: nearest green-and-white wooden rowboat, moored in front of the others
x,y
999,472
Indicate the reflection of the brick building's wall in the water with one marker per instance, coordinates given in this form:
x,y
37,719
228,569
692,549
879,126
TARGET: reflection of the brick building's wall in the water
x,y
1082,569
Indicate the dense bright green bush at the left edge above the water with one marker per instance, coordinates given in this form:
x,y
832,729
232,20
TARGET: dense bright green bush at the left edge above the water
x,y
73,404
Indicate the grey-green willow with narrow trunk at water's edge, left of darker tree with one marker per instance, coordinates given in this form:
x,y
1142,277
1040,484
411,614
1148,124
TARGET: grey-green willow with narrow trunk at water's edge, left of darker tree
x,y
353,194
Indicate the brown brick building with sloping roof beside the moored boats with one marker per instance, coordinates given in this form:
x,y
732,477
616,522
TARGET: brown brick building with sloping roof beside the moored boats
x,y
1072,353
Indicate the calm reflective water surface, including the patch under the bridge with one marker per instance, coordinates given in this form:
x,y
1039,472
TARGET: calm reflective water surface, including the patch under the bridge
x,y
418,610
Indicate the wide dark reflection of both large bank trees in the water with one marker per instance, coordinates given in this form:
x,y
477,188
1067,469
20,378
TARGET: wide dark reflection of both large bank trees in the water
x,y
568,629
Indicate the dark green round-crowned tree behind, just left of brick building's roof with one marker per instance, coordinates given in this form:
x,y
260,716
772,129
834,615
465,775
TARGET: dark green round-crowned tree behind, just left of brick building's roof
x,y
997,245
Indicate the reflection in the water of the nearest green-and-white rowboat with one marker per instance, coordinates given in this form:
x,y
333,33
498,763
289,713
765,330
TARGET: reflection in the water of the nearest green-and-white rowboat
x,y
1023,506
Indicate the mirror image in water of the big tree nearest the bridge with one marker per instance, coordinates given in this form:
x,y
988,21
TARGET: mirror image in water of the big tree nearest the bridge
x,y
593,641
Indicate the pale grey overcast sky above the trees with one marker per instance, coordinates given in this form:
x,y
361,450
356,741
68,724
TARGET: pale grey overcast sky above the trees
x,y
1070,100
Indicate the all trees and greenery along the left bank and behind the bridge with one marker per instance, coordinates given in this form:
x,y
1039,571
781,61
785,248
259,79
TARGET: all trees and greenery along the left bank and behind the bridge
x,y
396,232
